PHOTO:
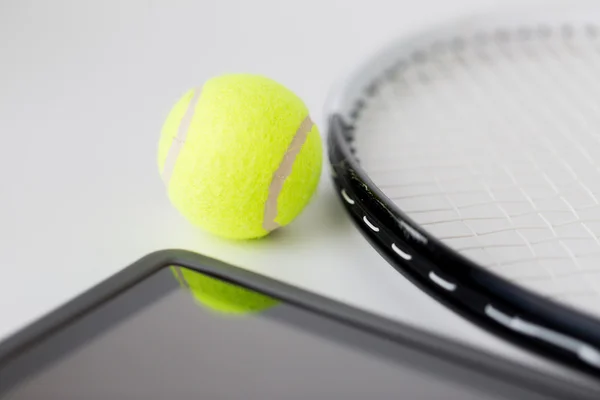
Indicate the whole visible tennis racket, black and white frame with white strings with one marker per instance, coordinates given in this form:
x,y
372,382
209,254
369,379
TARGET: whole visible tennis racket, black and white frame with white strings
x,y
469,157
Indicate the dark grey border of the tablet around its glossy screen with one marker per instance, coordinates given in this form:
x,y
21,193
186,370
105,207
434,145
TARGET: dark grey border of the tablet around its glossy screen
x,y
426,343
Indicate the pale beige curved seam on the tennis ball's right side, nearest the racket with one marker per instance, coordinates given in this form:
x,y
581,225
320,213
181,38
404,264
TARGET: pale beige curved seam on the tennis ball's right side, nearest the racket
x,y
282,172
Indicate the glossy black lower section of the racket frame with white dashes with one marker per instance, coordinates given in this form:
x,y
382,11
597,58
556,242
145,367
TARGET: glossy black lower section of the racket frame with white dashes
x,y
435,268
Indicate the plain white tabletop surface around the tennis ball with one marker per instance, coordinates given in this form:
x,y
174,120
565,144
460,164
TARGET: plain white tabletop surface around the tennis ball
x,y
84,89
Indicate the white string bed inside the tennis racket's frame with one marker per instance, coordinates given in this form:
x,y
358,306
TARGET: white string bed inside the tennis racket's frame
x,y
521,121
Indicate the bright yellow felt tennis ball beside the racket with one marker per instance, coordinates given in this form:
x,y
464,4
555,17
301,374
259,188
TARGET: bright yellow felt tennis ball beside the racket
x,y
240,156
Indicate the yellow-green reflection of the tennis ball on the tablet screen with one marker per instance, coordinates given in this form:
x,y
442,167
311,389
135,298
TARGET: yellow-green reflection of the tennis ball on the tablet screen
x,y
221,296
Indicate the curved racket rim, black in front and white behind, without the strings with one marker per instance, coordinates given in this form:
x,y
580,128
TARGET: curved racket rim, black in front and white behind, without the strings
x,y
455,278
